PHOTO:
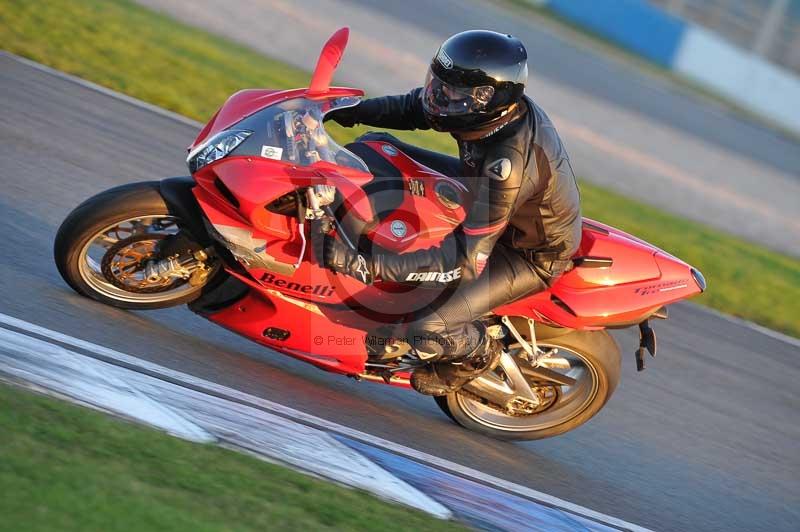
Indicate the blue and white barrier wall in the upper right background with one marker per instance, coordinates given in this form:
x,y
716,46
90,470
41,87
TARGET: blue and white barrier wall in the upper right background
x,y
693,51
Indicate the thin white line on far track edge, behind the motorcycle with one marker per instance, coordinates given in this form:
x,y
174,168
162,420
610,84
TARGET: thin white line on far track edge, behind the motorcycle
x,y
188,121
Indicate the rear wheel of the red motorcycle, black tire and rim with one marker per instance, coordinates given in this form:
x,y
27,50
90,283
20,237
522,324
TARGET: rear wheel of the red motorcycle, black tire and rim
x,y
594,361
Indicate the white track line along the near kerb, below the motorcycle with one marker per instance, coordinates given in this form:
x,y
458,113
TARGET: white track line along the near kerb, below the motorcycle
x,y
111,355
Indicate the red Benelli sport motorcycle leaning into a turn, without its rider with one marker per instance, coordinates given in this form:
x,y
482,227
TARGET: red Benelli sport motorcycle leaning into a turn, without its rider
x,y
232,241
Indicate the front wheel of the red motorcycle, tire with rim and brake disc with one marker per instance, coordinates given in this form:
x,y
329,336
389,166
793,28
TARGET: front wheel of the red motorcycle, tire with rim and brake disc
x,y
129,220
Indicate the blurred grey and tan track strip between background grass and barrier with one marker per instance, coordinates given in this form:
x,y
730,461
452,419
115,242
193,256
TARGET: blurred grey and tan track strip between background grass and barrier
x,y
637,133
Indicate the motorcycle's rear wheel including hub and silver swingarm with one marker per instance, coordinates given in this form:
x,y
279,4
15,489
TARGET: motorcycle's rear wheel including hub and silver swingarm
x,y
537,409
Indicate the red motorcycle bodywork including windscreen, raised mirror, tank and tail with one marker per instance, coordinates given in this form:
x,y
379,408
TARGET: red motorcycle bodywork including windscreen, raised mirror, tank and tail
x,y
304,310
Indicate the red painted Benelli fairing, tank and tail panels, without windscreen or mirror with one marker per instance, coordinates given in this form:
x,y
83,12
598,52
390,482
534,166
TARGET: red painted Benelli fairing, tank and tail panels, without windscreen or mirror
x,y
639,280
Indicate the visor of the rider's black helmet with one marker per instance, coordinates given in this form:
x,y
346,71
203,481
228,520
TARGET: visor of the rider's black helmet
x,y
443,99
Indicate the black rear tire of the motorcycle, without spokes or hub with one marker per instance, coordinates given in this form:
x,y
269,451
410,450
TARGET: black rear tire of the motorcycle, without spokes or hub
x,y
598,351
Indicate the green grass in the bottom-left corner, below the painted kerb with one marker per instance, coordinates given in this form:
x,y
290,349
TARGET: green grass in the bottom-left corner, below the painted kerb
x,y
64,467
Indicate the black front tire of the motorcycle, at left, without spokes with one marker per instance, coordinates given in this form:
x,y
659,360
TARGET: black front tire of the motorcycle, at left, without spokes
x,y
88,221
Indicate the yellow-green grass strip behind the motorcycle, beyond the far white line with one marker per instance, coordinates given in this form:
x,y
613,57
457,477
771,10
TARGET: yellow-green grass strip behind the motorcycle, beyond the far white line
x,y
152,57
